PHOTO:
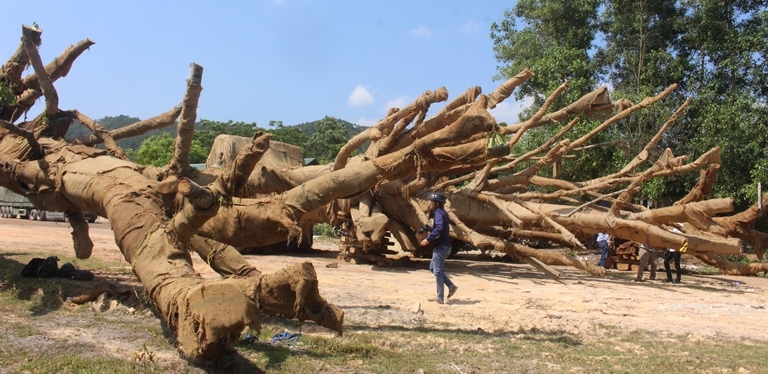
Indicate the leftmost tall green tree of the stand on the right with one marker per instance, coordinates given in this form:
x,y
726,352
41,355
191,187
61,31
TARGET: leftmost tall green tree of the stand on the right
x,y
555,39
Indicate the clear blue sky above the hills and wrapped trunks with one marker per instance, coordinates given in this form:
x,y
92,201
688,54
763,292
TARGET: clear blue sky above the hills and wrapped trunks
x,y
288,60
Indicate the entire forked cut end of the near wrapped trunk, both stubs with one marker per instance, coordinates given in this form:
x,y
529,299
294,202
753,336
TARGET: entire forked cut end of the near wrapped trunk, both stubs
x,y
213,315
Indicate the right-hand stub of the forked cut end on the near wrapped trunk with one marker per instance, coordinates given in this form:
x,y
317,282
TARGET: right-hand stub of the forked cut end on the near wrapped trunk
x,y
293,293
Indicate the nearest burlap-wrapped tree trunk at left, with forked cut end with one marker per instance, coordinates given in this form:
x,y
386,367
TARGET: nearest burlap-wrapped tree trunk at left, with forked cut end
x,y
154,222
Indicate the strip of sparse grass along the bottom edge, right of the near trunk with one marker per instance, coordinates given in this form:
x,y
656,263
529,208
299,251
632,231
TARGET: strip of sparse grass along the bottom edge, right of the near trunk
x,y
394,350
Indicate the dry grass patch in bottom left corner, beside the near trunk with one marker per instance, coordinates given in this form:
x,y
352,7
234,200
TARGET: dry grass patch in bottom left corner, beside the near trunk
x,y
33,311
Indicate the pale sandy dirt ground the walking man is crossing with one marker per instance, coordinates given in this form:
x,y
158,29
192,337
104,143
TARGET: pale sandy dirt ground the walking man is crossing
x,y
492,296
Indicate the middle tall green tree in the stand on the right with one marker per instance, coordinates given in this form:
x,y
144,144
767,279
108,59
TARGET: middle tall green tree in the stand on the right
x,y
640,55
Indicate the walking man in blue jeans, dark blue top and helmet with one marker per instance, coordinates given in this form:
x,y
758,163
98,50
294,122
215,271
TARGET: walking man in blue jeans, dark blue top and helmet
x,y
440,237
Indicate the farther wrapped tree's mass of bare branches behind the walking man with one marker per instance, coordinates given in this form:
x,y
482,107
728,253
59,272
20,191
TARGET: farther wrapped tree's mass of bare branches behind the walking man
x,y
443,153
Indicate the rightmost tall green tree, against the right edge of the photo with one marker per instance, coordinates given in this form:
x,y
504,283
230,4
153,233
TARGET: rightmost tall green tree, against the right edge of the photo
x,y
727,42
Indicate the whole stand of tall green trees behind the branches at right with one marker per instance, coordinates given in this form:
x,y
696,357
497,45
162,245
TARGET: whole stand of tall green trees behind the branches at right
x,y
714,50
